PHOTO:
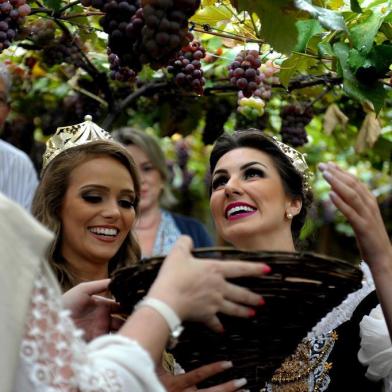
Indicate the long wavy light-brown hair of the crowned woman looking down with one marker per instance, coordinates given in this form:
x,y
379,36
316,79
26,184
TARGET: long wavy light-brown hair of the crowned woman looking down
x,y
49,198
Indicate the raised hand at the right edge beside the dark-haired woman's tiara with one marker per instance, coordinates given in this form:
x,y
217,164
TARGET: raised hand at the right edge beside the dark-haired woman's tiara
x,y
359,206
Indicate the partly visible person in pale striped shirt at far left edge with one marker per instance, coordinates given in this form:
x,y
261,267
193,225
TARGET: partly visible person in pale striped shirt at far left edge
x,y
18,178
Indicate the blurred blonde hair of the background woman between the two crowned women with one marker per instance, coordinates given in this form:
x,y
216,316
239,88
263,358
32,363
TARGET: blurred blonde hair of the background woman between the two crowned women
x,y
150,146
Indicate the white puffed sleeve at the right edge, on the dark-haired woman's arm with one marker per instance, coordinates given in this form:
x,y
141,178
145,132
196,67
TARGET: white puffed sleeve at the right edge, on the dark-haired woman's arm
x,y
376,348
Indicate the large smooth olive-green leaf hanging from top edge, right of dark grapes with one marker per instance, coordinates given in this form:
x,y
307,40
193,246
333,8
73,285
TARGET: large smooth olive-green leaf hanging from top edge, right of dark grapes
x,y
277,21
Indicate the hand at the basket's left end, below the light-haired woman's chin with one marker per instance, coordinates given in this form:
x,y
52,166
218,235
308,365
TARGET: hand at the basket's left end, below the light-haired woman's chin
x,y
90,312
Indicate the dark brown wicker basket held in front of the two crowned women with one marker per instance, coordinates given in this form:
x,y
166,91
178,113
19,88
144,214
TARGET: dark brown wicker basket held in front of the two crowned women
x,y
301,289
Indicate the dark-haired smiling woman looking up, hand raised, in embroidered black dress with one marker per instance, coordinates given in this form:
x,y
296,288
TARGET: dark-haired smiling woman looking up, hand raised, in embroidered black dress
x,y
260,193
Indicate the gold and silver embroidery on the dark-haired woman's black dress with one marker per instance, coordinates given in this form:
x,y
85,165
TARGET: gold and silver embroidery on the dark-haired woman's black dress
x,y
293,375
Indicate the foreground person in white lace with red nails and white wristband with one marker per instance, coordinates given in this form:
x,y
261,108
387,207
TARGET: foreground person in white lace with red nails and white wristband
x,y
42,350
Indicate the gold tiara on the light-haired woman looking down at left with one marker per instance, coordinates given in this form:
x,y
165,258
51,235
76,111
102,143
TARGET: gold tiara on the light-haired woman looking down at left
x,y
73,136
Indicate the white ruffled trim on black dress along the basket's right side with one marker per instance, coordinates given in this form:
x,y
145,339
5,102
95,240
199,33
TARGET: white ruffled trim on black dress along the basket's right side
x,y
344,311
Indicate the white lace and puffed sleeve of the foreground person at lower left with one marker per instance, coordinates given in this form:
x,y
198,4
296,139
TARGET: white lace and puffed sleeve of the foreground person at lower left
x,y
54,357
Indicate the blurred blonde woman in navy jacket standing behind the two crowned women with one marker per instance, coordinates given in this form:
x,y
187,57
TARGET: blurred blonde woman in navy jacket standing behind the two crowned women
x,y
156,228
